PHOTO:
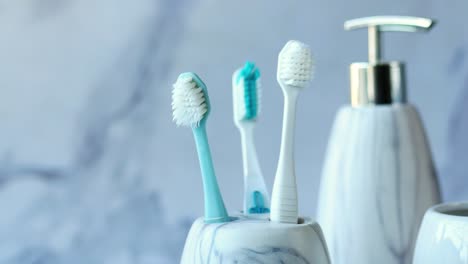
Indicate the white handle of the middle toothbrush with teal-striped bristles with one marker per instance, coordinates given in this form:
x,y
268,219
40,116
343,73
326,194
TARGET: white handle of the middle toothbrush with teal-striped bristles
x,y
253,178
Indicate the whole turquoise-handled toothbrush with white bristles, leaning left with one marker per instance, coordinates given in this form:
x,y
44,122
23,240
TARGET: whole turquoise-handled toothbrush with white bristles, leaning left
x,y
191,107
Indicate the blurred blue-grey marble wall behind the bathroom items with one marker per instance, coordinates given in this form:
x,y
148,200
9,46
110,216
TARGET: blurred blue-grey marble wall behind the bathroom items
x,y
93,171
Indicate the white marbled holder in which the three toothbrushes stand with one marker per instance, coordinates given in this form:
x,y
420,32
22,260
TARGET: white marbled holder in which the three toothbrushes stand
x,y
247,240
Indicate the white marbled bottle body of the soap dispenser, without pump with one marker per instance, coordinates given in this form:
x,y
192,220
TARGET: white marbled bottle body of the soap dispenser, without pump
x,y
378,180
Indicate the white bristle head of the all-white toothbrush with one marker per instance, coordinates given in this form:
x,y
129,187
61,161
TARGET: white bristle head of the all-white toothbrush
x,y
295,64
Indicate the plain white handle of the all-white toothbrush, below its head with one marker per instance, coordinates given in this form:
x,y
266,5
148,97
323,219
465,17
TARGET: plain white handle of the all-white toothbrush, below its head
x,y
284,196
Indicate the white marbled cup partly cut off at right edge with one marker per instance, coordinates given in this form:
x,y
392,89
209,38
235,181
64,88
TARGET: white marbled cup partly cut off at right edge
x,y
443,236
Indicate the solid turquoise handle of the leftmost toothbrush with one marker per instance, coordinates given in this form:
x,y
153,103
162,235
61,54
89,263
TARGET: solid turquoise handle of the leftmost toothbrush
x,y
215,211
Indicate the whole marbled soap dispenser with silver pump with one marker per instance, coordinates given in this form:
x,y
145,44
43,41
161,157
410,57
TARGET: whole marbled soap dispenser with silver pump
x,y
378,177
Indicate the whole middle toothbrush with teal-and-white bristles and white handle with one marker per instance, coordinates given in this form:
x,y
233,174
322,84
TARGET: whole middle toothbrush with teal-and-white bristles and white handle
x,y
246,103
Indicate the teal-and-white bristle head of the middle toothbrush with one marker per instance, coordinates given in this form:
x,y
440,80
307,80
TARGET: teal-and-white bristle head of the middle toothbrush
x,y
249,92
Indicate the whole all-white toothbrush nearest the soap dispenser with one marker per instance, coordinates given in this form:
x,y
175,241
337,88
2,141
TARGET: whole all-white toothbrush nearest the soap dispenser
x,y
293,74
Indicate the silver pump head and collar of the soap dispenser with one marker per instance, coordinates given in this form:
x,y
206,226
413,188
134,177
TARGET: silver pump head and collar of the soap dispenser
x,y
379,82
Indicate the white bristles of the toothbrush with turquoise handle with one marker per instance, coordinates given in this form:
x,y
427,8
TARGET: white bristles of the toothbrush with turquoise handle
x,y
188,102
